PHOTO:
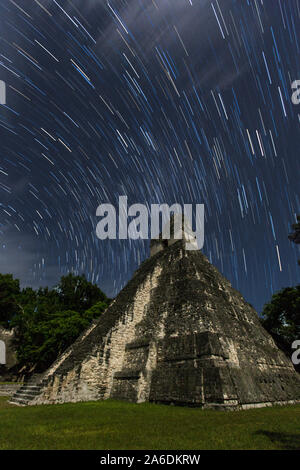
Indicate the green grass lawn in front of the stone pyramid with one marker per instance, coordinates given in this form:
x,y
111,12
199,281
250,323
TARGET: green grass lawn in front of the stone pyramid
x,y
111,425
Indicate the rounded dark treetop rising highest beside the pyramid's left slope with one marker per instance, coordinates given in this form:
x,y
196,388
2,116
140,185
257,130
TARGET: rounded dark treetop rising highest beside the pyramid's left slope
x,y
76,293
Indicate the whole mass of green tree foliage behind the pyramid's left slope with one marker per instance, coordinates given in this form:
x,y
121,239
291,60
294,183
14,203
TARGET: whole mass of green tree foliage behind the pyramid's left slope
x,y
50,320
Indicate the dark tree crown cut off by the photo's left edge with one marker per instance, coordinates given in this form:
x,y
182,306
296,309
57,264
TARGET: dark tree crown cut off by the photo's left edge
x,y
9,293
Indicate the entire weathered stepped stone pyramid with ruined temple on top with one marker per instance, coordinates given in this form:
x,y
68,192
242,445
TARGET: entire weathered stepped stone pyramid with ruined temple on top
x,y
178,333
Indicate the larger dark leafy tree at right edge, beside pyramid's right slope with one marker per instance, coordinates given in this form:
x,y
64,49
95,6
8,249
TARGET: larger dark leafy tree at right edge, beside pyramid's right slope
x,y
281,318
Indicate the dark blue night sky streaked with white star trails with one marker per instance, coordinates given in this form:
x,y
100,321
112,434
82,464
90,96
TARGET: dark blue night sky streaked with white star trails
x,y
164,101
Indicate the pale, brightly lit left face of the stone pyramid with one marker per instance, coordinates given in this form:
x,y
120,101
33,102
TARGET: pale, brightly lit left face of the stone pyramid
x,y
87,368
